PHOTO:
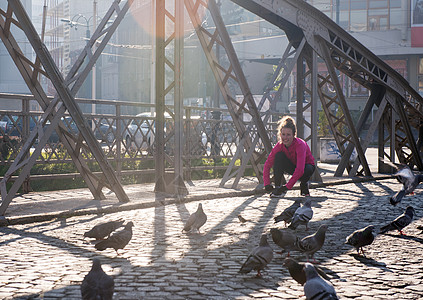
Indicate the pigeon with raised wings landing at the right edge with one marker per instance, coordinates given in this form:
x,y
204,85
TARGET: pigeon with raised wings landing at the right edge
x,y
409,180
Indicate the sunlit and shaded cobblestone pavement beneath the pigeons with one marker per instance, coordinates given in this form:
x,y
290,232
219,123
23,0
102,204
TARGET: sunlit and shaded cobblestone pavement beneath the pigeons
x,y
49,259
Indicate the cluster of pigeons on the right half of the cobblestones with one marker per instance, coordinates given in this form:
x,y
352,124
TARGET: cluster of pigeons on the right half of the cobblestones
x,y
316,283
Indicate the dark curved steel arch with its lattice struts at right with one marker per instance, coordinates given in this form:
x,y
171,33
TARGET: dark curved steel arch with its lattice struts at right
x,y
342,53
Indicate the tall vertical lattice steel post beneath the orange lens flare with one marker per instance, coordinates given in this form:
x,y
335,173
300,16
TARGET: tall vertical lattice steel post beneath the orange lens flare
x,y
169,183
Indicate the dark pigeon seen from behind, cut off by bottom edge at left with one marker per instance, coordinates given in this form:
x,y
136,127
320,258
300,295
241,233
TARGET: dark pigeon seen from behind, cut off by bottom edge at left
x,y
97,284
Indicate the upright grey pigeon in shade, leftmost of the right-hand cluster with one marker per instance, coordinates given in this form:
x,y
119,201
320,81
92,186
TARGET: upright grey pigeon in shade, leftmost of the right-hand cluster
x,y
259,257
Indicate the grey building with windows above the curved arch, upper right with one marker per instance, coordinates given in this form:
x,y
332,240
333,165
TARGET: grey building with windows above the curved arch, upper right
x,y
386,27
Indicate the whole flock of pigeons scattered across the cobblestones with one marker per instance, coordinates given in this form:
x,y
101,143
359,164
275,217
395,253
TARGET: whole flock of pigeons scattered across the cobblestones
x,y
98,285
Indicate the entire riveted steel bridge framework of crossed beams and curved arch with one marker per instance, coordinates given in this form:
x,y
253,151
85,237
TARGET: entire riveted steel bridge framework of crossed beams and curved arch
x,y
312,37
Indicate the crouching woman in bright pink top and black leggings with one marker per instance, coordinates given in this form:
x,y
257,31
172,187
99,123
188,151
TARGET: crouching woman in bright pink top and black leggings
x,y
290,155
